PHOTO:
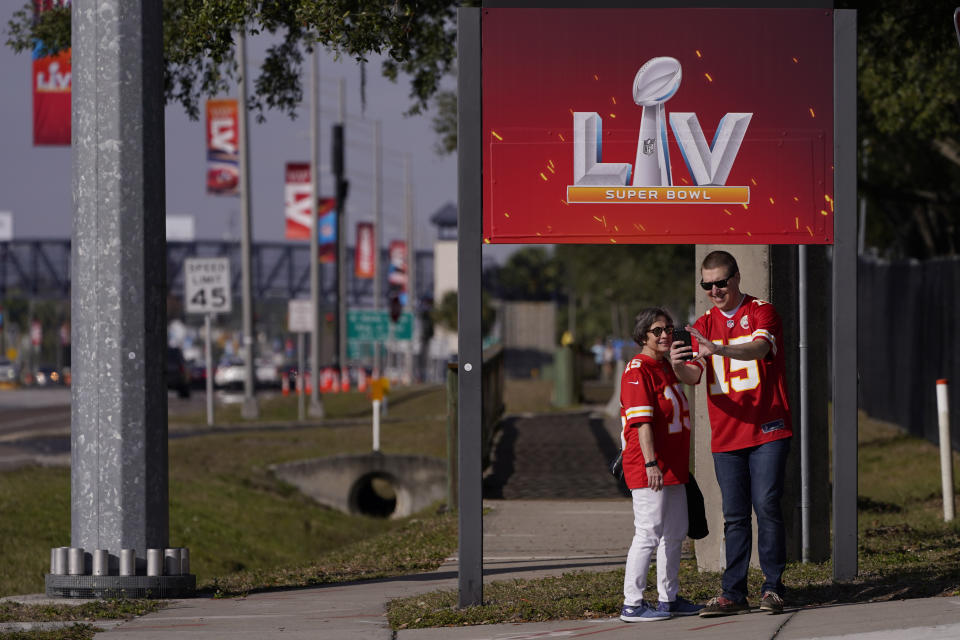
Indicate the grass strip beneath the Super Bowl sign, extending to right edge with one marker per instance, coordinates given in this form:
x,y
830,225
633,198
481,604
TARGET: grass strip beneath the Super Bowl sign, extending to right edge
x,y
905,551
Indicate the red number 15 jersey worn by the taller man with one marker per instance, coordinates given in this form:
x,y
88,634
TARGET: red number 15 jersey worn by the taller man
x,y
747,398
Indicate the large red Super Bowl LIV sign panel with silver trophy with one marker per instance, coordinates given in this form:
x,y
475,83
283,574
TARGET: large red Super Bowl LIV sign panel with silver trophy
x,y
658,126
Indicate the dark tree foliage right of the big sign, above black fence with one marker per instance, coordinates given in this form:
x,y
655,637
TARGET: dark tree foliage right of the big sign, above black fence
x,y
909,125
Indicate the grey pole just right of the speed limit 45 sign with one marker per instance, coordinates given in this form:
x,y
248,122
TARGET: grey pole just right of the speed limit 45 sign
x,y
250,410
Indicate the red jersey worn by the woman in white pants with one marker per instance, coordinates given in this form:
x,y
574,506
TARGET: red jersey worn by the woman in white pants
x,y
650,393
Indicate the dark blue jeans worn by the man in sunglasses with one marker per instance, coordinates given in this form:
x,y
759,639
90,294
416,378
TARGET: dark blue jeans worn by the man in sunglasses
x,y
753,477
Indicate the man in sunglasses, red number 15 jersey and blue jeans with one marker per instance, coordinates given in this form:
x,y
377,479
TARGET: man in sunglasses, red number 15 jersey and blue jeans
x,y
739,344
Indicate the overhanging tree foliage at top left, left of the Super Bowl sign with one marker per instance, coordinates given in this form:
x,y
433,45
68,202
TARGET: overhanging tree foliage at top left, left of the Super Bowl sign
x,y
416,37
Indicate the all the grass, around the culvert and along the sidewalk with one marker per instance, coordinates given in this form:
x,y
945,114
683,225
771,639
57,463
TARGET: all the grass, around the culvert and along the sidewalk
x,y
248,531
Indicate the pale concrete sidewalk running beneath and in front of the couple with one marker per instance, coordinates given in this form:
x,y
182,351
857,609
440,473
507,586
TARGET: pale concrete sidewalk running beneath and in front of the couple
x,y
525,539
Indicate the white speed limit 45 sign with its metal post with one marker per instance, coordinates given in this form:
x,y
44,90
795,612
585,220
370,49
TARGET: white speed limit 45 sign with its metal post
x,y
206,290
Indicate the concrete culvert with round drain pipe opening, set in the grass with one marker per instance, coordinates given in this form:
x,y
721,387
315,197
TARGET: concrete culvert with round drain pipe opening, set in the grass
x,y
372,484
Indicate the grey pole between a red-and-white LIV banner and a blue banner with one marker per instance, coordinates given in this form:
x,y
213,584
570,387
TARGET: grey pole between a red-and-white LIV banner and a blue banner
x,y
316,402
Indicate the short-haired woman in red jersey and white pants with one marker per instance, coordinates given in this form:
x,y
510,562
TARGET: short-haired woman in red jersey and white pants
x,y
656,456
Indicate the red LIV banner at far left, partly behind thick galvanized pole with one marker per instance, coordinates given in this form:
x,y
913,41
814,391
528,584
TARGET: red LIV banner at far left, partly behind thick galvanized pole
x,y
52,81
